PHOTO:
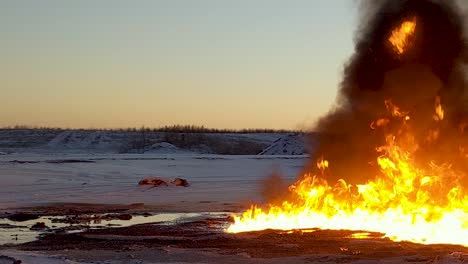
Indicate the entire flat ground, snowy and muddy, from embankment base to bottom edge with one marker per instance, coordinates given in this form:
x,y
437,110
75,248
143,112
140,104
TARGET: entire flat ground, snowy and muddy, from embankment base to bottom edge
x,y
185,224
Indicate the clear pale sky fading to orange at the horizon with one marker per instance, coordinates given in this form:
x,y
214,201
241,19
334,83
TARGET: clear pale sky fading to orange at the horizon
x,y
218,63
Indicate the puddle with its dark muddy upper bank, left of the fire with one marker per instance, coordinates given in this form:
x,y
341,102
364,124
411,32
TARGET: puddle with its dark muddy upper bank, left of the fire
x,y
30,224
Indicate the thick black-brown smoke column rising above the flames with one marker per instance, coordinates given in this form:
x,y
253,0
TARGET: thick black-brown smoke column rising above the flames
x,y
433,66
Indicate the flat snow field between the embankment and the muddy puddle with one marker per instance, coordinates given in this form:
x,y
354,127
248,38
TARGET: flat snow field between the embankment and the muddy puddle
x,y
216,180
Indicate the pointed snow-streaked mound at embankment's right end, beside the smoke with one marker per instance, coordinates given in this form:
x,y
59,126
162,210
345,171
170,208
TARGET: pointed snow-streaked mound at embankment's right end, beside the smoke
x,y
291,144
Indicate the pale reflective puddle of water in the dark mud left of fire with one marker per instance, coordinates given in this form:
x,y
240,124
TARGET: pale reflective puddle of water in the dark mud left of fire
x,y
20,232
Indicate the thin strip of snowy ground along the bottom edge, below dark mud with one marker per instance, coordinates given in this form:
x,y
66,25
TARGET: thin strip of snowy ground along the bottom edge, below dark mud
x,y
185,256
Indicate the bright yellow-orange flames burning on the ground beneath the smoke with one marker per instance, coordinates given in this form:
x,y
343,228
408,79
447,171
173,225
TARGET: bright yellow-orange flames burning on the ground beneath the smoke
x,y
406,202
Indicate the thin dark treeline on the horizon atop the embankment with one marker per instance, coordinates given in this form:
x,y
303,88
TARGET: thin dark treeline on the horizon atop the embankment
x,y
170,129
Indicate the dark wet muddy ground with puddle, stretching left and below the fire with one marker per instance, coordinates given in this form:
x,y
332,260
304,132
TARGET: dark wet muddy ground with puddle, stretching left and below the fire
x,y
200,238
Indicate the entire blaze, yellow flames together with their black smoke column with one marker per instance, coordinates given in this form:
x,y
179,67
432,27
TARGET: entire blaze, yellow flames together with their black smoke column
x,y
392,155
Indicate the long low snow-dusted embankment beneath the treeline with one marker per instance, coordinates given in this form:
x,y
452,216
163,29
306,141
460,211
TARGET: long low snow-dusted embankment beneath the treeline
x,y
151,142
